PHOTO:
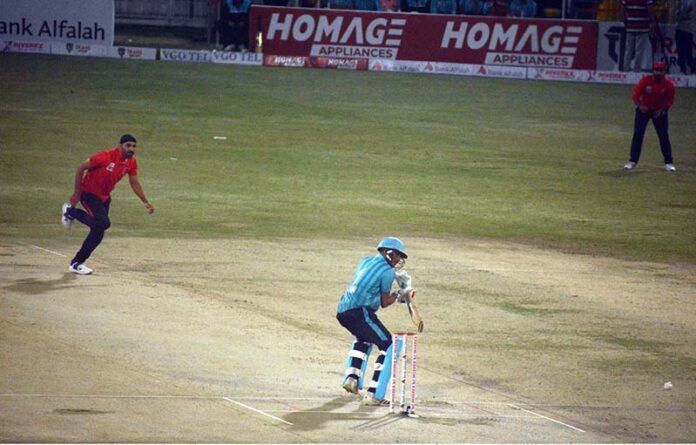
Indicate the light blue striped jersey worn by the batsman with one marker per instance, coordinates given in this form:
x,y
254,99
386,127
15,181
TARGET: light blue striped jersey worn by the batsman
x,y
373,277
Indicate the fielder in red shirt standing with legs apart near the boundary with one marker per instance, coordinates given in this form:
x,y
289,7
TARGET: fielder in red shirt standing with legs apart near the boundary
x,y
653,96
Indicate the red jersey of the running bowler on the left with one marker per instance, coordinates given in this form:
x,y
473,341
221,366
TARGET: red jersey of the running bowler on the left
x,y
107,168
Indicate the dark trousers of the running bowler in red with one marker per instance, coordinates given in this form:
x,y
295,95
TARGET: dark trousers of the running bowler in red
x,y
96,217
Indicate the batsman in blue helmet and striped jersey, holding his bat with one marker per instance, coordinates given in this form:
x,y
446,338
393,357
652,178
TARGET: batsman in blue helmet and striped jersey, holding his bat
x,y
369,291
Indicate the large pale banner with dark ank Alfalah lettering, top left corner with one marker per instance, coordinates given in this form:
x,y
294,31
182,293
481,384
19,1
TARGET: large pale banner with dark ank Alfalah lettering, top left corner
x,y
86,22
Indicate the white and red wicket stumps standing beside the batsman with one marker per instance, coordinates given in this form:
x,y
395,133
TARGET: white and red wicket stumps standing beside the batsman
x,y
402,337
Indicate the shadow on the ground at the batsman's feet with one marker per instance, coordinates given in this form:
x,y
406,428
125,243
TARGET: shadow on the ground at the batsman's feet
x,y
330,411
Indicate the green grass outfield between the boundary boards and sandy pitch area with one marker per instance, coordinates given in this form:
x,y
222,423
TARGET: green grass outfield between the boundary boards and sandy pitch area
x,y
337,154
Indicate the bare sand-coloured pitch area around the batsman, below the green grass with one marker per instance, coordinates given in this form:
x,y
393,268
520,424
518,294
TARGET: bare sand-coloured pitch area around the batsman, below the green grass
x,y
236,341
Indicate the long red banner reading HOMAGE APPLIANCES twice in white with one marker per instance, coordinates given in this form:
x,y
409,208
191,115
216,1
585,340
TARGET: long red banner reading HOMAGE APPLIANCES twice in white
x,y
336,34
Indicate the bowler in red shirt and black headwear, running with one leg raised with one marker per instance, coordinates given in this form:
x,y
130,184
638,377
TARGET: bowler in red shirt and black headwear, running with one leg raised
x,y
94,181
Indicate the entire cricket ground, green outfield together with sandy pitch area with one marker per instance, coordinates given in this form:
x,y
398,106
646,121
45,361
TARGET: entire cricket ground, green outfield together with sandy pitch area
x,y
258,234
